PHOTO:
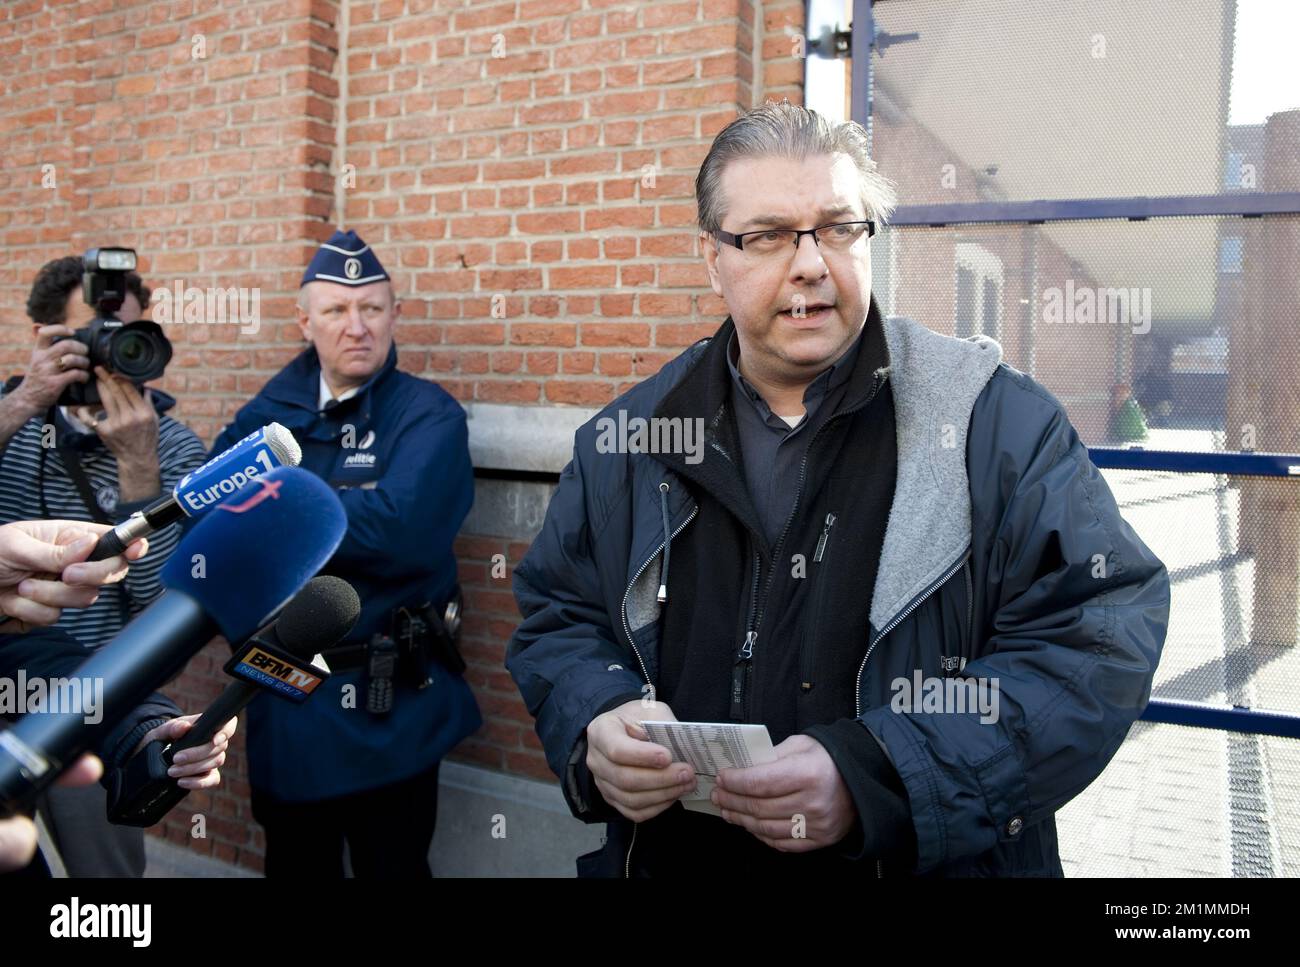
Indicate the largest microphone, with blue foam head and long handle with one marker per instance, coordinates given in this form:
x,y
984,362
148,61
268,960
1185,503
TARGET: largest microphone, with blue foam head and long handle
x,y
233,573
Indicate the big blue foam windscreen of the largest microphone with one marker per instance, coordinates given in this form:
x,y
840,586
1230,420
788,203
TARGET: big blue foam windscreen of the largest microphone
x,y
257,549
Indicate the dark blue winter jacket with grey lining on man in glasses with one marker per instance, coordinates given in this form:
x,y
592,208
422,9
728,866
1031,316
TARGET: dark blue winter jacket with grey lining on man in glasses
x,y
1004,548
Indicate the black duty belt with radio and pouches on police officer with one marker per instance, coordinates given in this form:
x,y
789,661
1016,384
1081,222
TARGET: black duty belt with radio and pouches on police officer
x,y
400,656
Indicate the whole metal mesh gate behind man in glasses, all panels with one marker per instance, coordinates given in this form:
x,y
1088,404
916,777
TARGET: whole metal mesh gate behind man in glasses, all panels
x,y
1172,335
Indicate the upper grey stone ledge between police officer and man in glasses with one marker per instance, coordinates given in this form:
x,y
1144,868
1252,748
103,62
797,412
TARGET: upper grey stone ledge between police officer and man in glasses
x,y
523,439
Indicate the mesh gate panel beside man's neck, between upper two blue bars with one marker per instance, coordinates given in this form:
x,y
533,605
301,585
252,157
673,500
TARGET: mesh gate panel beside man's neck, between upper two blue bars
x,y
1147,332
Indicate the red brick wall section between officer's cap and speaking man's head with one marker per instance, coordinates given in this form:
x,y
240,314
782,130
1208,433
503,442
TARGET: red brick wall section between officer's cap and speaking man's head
x,y
525,177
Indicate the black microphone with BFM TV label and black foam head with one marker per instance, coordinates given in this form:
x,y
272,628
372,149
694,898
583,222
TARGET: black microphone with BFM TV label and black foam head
x,y
278,660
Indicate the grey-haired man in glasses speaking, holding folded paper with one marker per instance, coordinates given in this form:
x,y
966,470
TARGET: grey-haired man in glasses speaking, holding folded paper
x,y
877,505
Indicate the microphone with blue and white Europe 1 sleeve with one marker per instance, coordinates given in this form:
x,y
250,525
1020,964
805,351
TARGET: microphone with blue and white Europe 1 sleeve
x,y
258,454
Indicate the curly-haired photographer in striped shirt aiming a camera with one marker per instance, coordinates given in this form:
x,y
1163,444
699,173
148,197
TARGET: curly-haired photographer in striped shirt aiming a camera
x,y
94,463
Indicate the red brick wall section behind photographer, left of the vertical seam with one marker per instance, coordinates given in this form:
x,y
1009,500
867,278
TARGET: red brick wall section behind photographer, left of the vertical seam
x,y
213,168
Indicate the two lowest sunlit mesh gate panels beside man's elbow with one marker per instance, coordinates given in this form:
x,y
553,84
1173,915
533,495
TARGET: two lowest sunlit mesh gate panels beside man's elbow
x,y
1182,801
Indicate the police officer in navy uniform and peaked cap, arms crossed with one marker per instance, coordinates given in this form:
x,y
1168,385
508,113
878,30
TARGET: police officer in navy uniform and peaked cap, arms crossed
x,y
361,761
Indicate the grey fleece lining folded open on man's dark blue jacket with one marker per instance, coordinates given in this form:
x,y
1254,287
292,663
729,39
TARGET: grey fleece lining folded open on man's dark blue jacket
x,y
935,381
